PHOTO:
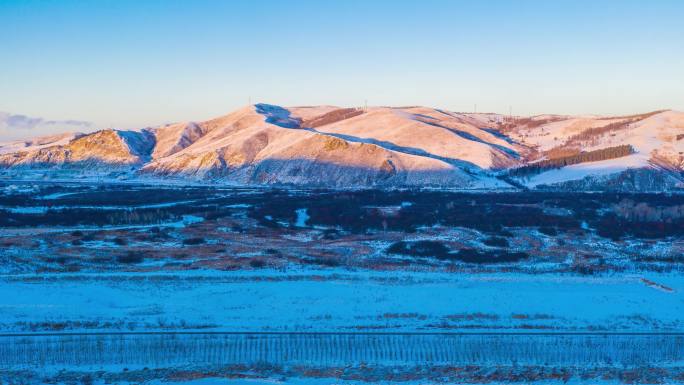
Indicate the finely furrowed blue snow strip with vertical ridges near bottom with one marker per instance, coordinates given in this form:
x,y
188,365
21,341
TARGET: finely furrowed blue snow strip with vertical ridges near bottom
x,y
331,350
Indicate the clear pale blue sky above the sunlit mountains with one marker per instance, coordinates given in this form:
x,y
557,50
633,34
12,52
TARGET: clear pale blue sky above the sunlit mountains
x,y
129,64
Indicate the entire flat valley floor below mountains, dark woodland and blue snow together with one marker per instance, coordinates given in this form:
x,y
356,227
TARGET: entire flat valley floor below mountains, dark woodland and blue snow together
x,y
94,274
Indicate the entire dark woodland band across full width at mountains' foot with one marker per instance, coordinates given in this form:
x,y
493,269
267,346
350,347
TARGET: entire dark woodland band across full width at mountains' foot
x,y
613,215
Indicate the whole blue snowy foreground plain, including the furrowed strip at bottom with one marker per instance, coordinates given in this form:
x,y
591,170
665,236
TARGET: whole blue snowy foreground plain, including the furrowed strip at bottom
x,y
64,326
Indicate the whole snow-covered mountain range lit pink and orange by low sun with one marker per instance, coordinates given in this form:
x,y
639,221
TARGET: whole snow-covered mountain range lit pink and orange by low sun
x,y
380,147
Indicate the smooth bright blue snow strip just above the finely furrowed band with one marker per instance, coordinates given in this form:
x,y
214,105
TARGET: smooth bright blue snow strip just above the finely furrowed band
x,y
339,300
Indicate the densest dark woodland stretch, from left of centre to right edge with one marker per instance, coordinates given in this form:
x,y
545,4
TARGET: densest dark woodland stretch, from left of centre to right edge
x,y
495,214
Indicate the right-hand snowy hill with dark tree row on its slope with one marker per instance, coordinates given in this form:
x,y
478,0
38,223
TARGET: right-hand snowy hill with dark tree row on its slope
x,y
655,159
